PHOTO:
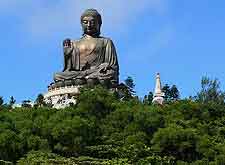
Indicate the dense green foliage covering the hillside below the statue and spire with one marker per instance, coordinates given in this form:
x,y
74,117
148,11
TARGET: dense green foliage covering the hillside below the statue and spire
x,y
103,129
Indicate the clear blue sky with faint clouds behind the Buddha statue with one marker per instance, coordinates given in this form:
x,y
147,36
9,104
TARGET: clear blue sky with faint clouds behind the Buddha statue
x,y
183,40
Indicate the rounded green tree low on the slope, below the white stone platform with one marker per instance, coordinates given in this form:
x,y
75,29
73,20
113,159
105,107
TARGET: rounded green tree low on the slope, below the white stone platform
x,y
70,136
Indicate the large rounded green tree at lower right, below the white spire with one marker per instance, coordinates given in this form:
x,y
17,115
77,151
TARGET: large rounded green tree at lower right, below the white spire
x,y
176,142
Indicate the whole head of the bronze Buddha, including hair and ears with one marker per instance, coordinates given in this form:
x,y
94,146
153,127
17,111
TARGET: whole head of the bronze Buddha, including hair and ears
x,y
91,22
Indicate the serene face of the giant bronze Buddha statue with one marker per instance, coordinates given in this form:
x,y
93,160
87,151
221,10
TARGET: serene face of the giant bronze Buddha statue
x,y
90,25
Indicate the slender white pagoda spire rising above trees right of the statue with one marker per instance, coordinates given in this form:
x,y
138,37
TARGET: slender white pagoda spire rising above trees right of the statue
x,y
158,94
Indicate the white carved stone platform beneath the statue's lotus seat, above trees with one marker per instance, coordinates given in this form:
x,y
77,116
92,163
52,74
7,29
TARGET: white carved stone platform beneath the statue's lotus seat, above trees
x,y
61,97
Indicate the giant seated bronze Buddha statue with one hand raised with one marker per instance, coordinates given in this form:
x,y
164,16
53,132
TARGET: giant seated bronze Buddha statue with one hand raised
x,y
91,59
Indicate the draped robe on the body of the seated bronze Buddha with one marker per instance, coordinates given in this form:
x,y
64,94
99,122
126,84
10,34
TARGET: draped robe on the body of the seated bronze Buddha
x,y
100,62
